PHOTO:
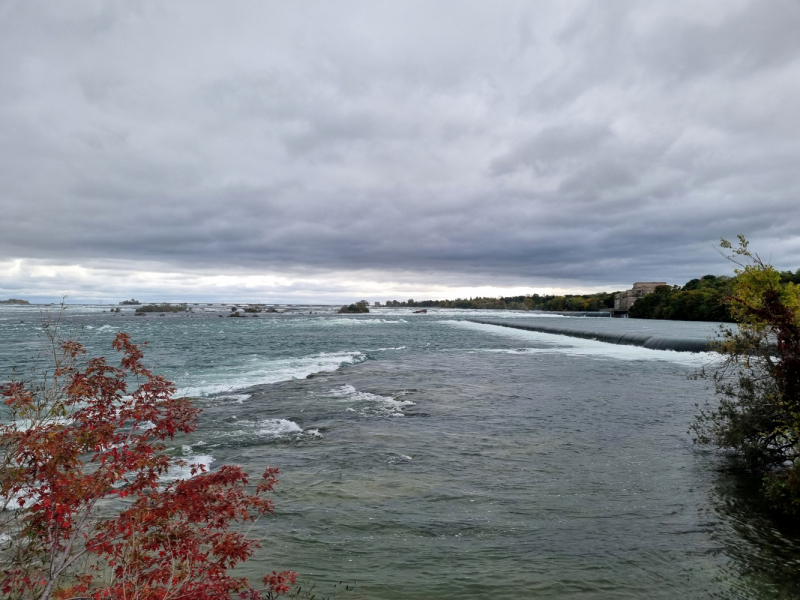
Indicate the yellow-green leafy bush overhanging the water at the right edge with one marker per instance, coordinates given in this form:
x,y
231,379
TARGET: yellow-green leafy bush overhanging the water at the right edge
x,y
757,384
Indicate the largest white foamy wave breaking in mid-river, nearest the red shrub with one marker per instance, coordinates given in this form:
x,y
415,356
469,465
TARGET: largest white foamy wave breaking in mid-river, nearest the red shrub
x,y
258,371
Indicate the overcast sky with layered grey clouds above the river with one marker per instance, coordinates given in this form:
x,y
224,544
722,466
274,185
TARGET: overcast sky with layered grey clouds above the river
x,y
325,151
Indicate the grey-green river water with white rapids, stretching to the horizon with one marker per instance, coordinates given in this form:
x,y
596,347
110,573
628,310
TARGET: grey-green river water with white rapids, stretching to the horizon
x,y
430,457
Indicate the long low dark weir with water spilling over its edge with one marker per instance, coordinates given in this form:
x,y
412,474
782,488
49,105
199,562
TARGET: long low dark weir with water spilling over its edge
x,y
653,342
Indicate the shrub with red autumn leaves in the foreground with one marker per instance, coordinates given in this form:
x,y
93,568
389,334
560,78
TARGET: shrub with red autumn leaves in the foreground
x,y
80,445
